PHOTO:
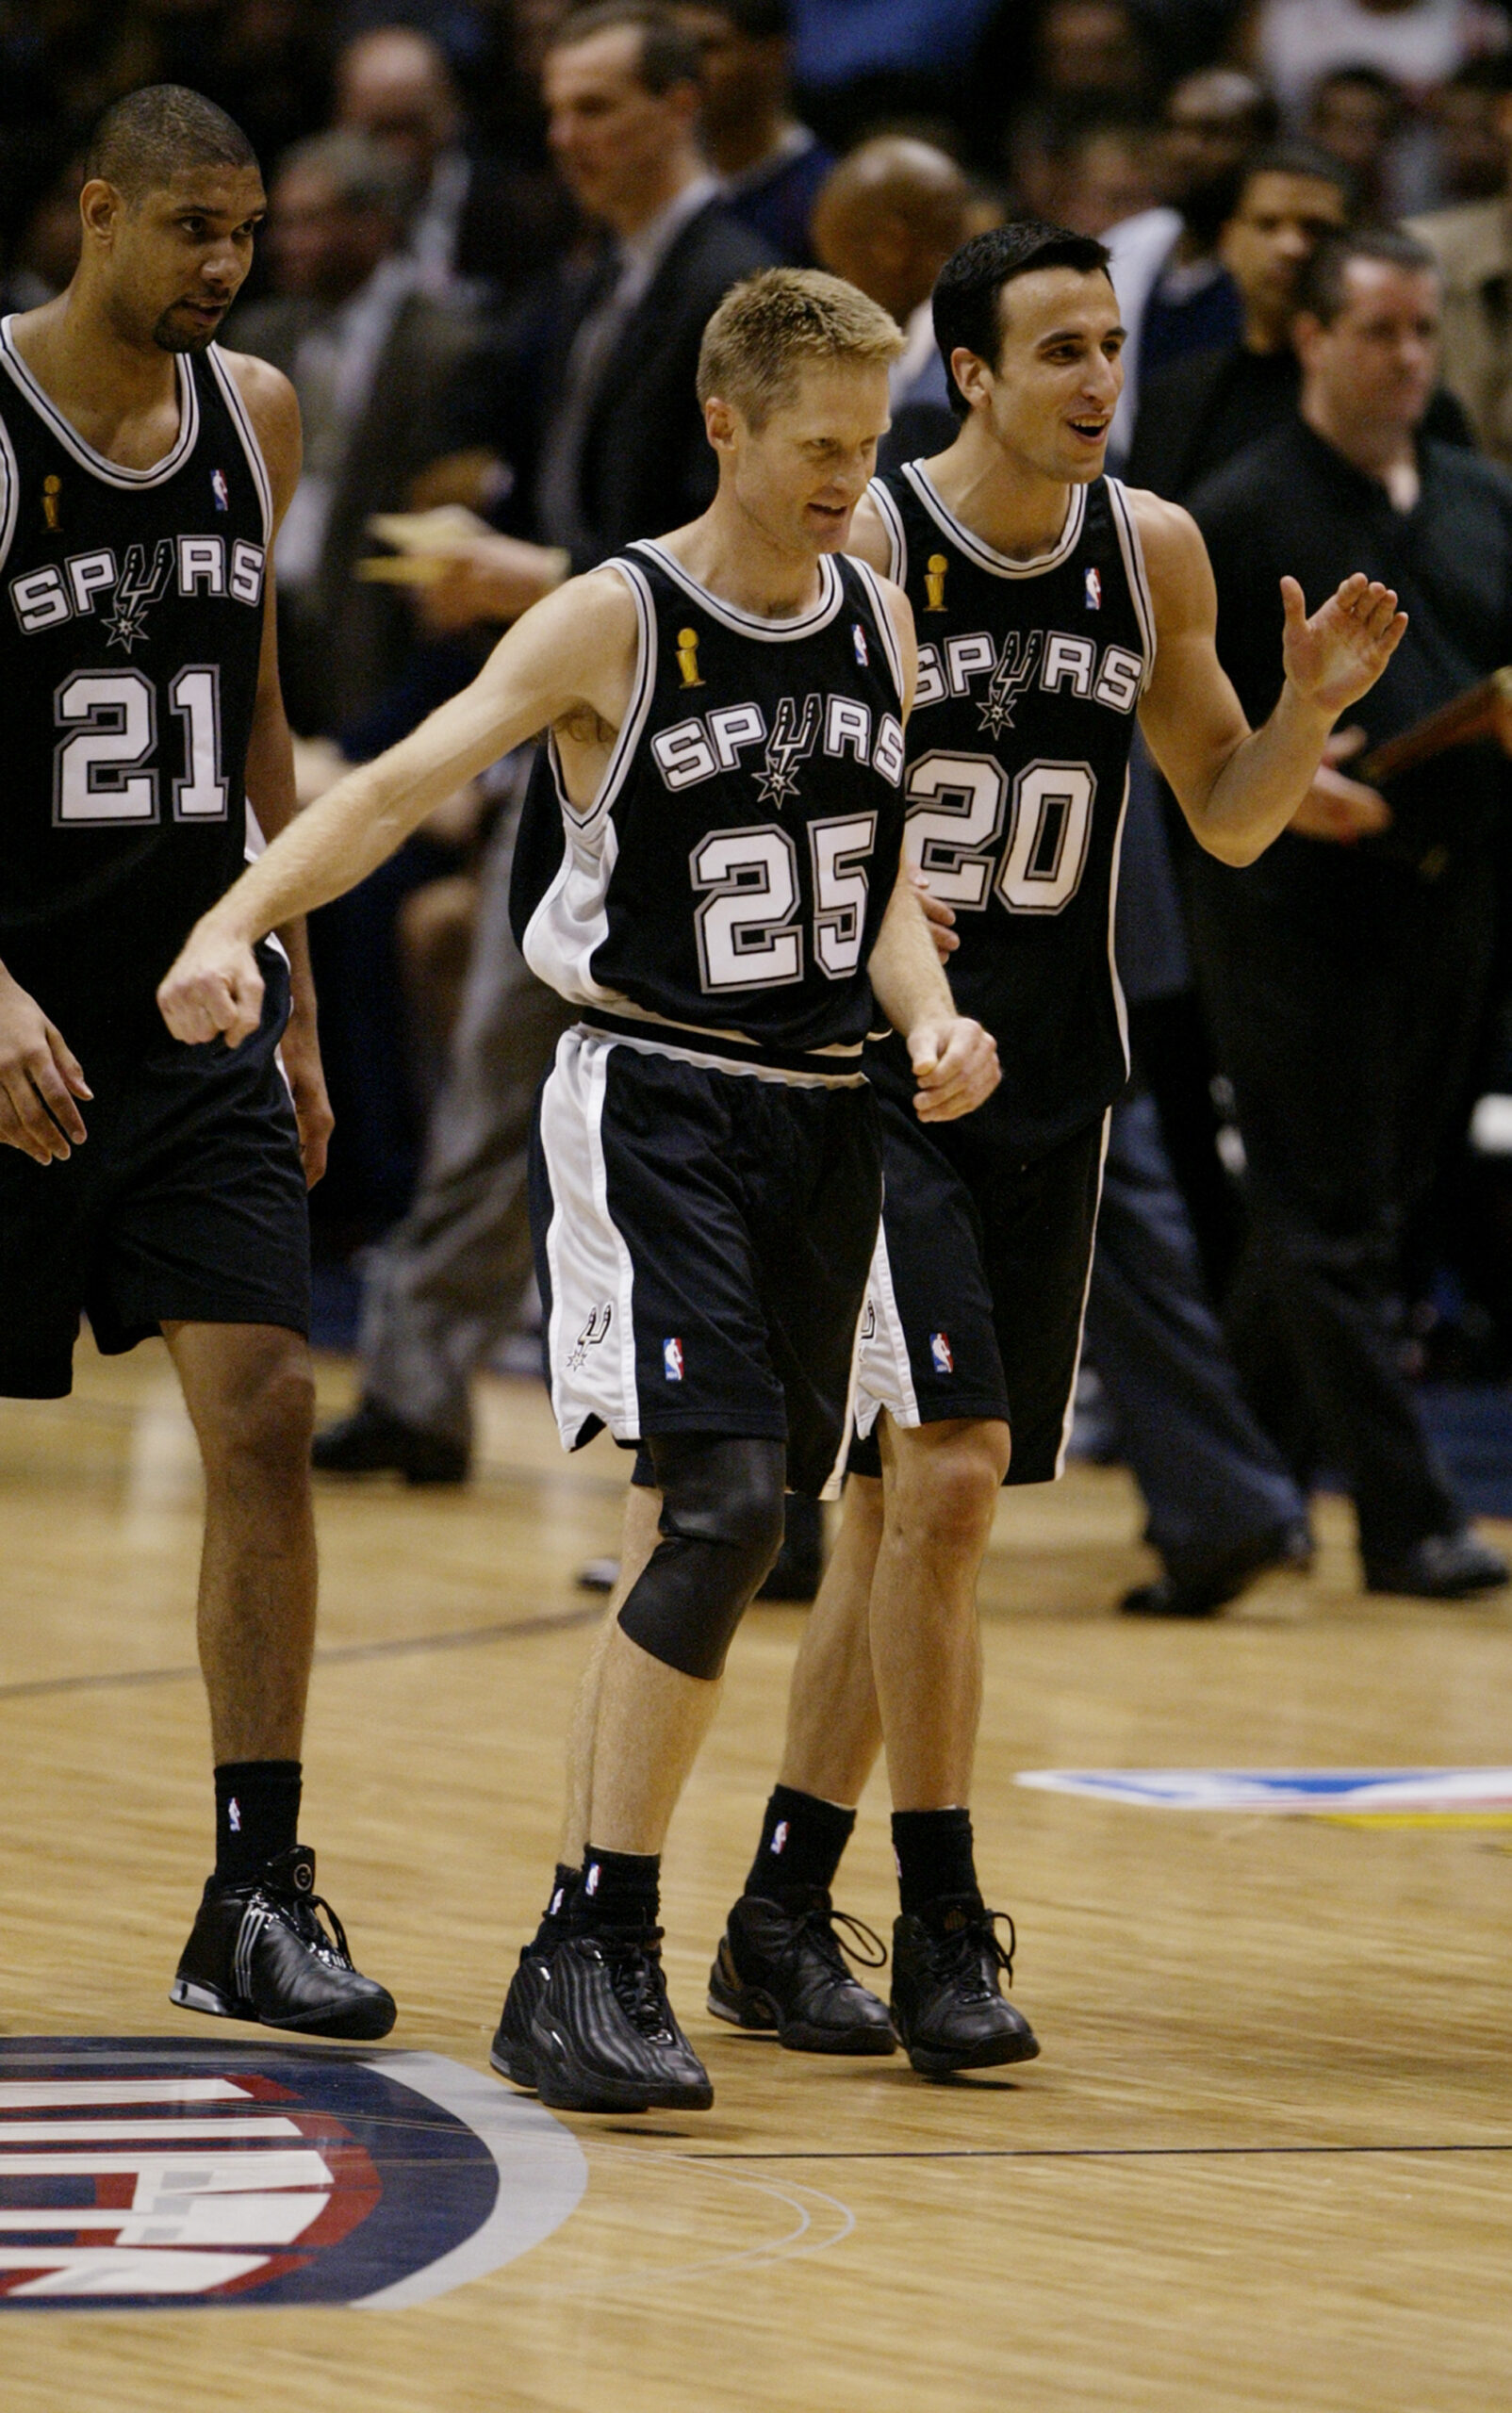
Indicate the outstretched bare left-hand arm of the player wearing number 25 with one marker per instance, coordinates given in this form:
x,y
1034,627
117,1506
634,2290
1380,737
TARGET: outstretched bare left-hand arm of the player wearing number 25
x,y
565,665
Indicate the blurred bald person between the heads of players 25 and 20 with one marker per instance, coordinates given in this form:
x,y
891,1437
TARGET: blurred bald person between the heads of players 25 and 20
x,y
889,221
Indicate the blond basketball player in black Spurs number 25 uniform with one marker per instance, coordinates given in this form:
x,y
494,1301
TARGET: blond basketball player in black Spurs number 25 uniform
x,y
727,749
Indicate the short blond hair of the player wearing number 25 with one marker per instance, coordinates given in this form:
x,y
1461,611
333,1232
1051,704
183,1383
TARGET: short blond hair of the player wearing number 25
x,y
773,325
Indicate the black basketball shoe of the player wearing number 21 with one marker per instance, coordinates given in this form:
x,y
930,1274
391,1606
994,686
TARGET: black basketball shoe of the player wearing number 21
x,y
259,1953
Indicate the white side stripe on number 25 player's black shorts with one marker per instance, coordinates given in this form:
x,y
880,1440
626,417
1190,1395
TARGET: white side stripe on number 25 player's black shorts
x,y
592,1326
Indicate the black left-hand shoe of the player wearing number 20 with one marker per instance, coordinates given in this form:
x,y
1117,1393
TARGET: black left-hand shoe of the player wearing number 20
x,y
783,1968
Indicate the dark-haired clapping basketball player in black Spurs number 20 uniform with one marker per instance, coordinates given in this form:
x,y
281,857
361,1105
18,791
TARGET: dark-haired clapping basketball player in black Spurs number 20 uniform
x,y
1053,609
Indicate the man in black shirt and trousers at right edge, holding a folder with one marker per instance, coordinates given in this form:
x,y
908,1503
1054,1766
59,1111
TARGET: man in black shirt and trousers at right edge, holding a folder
x,y
1347,981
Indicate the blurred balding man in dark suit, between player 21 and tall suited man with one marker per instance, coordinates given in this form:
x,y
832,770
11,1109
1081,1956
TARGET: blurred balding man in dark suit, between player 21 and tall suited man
x,y
474,221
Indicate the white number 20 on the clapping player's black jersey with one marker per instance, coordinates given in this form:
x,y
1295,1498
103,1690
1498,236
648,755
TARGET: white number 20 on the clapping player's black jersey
x,y
956,817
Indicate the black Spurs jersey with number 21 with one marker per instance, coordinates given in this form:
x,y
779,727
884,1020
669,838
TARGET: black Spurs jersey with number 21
x,y
131,619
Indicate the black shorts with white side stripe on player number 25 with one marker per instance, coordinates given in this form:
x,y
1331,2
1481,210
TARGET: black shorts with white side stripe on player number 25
x,y
703,1244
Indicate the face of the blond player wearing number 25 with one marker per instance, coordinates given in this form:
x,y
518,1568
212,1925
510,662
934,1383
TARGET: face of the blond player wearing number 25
x,y
802,474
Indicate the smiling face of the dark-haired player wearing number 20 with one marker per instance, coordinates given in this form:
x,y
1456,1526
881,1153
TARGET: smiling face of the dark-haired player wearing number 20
x,y
1055,385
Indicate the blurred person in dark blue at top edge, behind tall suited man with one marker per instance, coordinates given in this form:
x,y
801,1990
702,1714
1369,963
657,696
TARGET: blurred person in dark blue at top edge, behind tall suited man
x,y
768,160
